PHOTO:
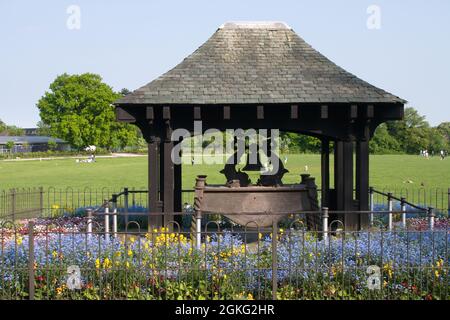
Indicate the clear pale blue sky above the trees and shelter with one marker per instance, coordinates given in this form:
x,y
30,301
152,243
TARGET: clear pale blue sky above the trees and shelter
x,y
129,43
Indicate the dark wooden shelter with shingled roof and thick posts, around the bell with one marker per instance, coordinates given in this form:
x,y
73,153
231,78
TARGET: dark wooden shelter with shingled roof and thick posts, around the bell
x,y
262,75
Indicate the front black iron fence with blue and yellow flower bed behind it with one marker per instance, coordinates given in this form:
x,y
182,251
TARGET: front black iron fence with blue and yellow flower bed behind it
x,y
286,261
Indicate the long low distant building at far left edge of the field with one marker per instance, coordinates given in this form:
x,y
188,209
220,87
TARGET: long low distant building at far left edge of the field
x,y
31,143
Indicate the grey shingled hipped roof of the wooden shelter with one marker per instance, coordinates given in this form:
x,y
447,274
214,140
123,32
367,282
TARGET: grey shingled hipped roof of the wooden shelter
x,y
257,63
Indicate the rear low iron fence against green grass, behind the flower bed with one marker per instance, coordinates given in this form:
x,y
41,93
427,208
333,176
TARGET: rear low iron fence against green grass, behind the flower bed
x,y
51,202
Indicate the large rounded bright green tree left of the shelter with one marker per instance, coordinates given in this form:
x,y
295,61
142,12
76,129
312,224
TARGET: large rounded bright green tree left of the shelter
x,y
78,109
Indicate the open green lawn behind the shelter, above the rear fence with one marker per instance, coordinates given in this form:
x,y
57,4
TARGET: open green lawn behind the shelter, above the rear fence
x,y
386,171
